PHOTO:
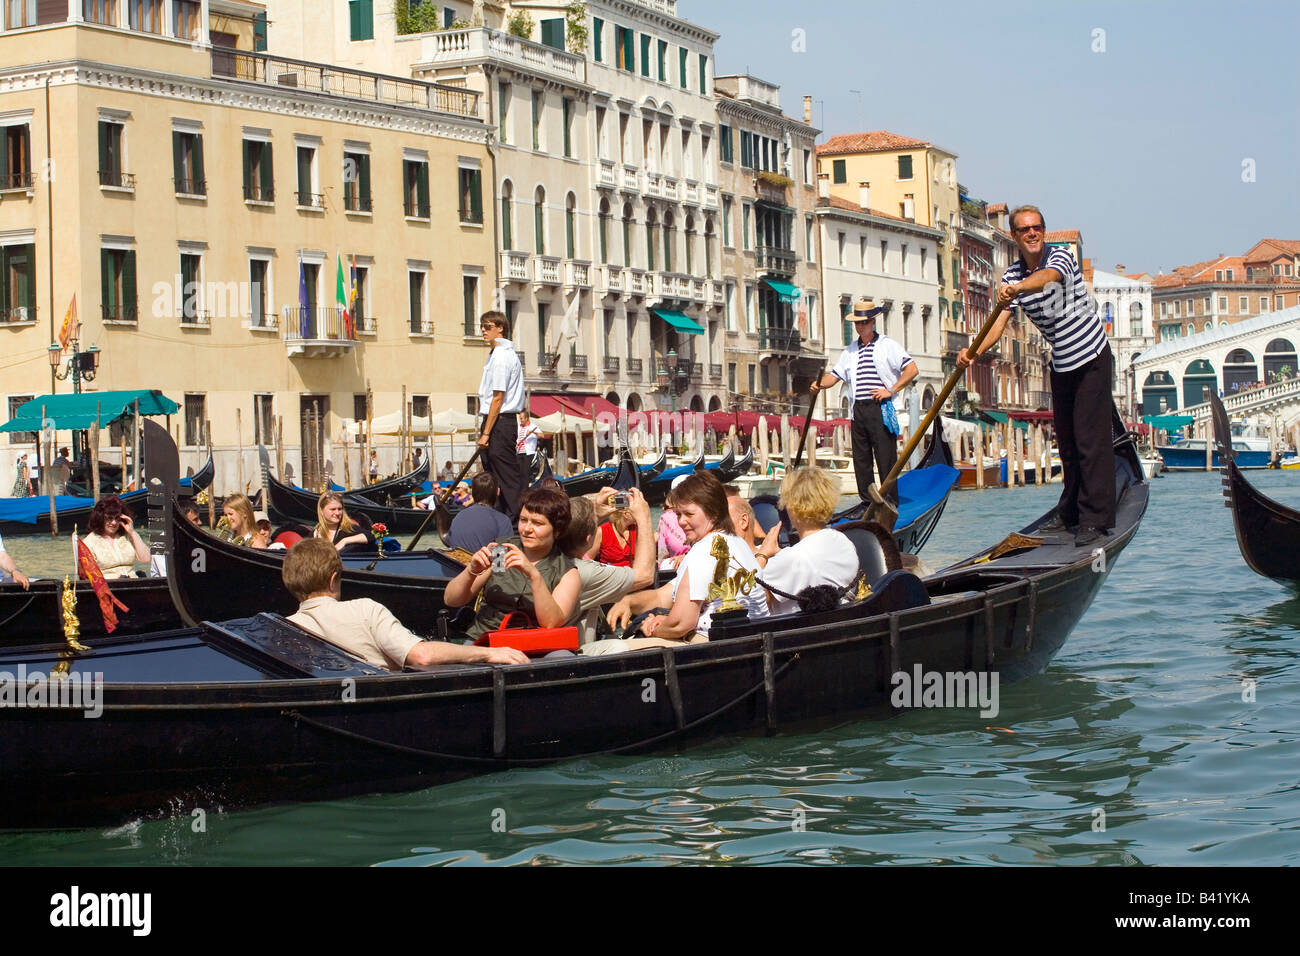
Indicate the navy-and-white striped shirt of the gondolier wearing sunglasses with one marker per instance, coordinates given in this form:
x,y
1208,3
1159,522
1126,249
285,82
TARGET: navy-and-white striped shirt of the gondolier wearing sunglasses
x,y
1067,314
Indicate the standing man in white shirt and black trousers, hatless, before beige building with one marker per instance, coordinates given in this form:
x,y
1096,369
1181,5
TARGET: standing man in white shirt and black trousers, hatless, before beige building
x,y
501,396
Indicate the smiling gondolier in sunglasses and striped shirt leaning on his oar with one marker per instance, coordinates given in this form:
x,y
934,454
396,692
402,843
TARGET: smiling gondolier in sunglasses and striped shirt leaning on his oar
x,y
1048,285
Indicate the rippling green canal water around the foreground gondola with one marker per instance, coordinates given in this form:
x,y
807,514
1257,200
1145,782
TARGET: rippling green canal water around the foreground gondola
x,y
1165,733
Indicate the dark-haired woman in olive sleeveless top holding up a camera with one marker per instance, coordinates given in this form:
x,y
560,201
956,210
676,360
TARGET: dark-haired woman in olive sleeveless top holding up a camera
x,y
536,578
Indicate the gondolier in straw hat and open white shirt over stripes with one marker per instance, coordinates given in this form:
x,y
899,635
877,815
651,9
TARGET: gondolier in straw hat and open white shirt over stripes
x,y
874,369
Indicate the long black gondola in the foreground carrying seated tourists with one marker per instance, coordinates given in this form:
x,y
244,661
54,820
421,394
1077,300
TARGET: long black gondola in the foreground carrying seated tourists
x,y
257,711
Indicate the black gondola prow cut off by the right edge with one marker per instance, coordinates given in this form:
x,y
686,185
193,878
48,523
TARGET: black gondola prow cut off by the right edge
x,y
1267,531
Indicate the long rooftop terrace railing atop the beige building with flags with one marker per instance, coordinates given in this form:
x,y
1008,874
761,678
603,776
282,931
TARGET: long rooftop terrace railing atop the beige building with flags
x,y
337,81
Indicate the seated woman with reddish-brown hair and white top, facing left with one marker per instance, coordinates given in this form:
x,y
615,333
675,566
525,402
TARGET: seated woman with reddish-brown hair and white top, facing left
x,y
703,511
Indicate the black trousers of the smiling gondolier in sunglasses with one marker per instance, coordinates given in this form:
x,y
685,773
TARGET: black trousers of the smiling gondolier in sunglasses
x,y
1082,412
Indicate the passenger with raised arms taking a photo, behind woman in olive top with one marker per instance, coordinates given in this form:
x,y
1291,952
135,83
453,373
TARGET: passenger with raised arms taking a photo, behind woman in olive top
x,y
606,583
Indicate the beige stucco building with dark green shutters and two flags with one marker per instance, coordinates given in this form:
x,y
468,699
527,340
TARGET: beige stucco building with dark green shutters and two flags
x,y
200,191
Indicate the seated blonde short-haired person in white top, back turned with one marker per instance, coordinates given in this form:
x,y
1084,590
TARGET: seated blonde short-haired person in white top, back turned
x,y
822,557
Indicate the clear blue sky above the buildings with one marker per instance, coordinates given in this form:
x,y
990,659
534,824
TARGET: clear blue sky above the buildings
x,y
1141,146
